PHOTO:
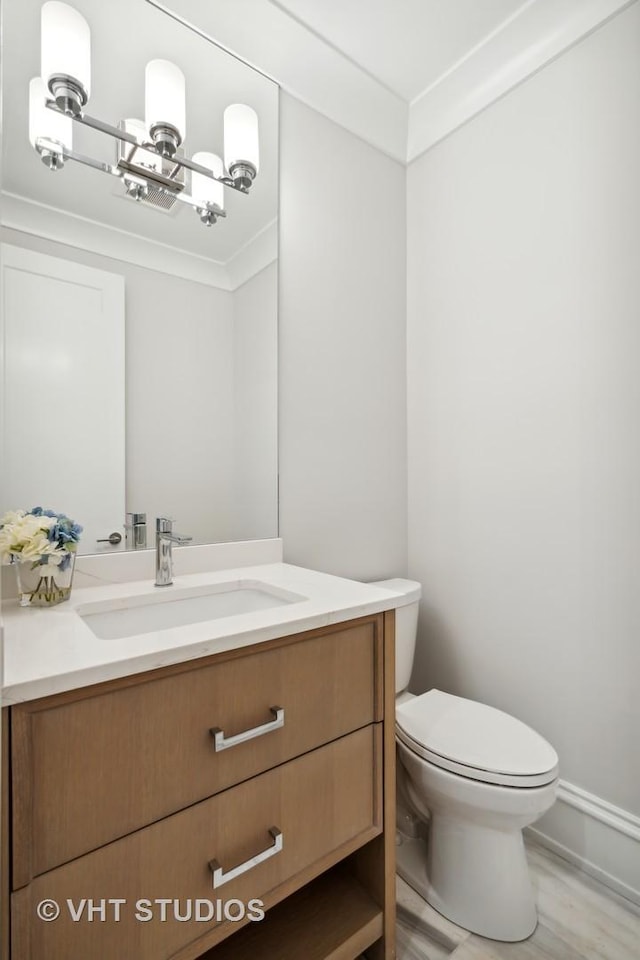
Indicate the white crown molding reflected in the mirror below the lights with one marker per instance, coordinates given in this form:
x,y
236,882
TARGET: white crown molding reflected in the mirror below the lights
x,y
51,223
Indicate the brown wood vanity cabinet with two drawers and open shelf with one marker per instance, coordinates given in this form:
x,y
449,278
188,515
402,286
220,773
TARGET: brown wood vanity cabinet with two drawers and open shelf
x,y
142,806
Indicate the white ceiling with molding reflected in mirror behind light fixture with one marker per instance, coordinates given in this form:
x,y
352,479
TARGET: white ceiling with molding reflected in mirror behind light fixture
x,y
124,37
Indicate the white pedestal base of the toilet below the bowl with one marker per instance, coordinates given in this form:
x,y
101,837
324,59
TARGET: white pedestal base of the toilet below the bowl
x,y
493,901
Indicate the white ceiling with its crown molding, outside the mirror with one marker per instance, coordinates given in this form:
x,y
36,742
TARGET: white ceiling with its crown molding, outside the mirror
x,y
400,74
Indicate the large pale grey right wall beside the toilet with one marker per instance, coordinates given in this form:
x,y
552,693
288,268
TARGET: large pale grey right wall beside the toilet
x,y
523,404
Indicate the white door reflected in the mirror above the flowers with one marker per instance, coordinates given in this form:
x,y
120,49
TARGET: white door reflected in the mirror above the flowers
x,y
63,391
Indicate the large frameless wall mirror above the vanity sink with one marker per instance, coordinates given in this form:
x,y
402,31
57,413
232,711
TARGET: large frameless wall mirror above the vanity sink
x,y
139,342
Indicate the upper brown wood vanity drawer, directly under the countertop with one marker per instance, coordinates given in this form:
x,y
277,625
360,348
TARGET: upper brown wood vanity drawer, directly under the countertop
x,y
91,767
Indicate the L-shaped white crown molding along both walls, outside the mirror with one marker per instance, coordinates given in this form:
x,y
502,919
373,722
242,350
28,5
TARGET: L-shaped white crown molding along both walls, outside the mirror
x,y
309,68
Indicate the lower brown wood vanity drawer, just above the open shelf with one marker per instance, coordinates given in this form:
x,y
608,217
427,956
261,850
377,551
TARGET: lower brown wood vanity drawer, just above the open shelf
x,y
325,803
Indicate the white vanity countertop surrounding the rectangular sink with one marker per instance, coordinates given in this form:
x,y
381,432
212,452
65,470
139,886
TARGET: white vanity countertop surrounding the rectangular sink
x,y
49,650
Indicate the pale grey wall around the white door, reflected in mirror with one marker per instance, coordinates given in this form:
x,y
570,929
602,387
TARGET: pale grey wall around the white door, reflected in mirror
x,y
179,394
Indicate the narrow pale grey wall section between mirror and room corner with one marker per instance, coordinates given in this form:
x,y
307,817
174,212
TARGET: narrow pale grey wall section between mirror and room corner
x,y
342,350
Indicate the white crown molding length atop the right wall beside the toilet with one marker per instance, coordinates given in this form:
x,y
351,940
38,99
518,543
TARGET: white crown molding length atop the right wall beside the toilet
x,y
538,33
